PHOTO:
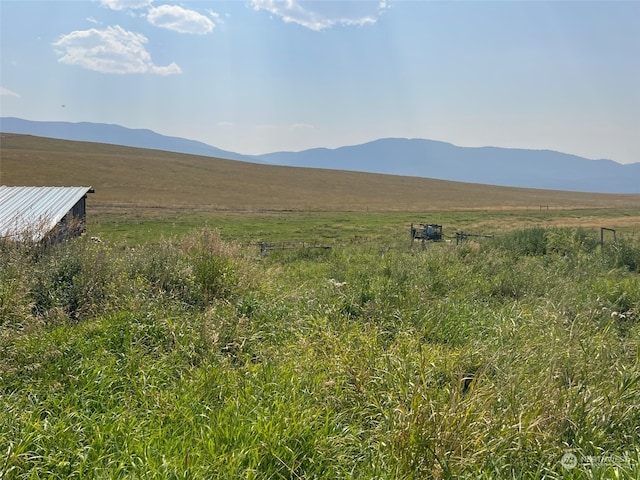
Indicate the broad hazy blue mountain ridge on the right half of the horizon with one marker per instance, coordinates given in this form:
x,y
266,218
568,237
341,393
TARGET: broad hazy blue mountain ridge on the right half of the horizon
x,y
486,165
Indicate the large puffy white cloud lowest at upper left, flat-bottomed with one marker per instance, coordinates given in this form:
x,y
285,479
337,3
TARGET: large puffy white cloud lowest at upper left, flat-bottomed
x,y
112,50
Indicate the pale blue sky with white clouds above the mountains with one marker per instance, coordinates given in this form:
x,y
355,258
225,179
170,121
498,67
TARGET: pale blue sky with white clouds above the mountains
x,y
256,76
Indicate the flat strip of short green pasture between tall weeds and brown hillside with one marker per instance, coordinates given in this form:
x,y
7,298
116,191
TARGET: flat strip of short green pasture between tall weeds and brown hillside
x,y
390,228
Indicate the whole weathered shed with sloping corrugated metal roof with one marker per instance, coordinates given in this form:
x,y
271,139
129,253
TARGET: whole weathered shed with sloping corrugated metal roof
x,y
40,214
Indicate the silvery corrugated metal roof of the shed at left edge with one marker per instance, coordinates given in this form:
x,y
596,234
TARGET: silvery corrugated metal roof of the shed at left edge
x,y
32,212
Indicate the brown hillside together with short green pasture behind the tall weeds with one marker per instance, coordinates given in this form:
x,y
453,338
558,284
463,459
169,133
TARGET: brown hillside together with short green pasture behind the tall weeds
x,y
163,194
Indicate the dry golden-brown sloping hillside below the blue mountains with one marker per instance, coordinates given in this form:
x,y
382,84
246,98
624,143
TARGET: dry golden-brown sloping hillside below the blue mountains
x,y
133,177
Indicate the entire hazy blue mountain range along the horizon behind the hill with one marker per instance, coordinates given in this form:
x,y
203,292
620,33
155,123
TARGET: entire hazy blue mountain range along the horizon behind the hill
x,y
543,169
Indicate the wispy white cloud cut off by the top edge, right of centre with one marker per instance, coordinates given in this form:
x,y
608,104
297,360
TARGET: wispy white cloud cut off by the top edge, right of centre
x,y
319,15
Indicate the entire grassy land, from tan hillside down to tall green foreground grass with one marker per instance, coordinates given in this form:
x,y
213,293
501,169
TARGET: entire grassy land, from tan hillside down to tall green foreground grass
x,y
174,349
